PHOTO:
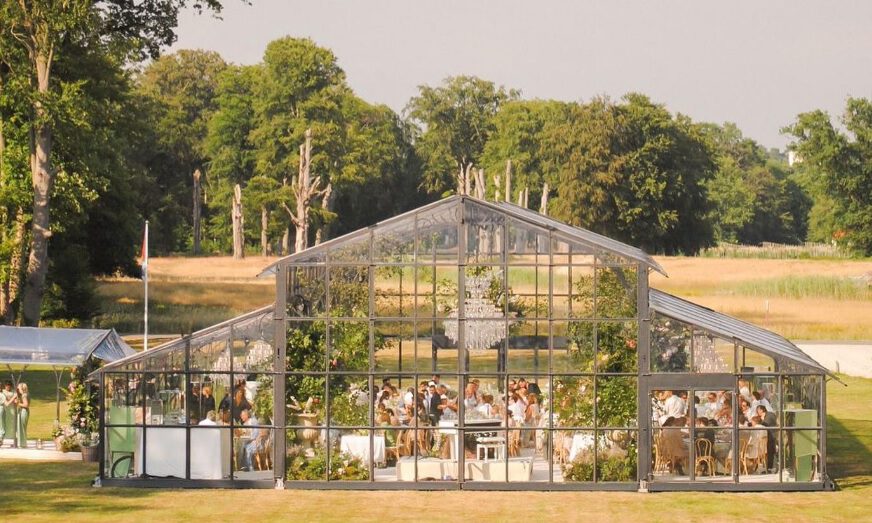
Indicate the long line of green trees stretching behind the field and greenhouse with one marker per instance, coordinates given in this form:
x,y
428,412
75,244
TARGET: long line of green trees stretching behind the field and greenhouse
x,y
275,156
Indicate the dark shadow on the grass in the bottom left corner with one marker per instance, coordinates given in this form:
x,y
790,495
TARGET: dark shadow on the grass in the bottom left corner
x,y
36,488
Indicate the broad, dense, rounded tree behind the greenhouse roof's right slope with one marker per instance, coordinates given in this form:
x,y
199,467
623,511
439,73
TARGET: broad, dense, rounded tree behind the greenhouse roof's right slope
x,y
631,171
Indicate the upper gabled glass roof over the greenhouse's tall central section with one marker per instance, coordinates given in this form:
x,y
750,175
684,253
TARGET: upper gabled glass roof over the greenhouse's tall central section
x,y
445,214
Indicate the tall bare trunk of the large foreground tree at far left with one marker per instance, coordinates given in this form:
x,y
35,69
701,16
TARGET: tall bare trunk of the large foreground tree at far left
x,y
43,181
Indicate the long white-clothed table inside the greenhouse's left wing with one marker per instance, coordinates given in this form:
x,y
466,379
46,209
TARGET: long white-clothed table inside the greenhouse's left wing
x,y
165,449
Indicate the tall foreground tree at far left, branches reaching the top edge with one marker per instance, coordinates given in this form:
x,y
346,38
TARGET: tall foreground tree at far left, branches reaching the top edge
x,y
40,28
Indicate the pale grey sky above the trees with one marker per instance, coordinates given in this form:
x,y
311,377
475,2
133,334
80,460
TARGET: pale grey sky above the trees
x,y
754,63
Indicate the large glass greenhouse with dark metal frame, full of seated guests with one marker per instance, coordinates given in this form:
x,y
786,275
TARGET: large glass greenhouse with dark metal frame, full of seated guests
x,y
476,345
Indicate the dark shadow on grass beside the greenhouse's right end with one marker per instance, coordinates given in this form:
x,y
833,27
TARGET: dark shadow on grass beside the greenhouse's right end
x,y
849,452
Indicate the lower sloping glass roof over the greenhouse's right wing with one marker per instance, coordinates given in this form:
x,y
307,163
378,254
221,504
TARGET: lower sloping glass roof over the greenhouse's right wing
x,y
728,327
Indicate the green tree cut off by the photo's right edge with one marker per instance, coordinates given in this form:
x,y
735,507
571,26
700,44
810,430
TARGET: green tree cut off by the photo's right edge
x,y
842,163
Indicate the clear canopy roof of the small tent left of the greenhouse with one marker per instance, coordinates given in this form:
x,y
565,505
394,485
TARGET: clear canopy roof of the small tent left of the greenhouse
x,y
60,347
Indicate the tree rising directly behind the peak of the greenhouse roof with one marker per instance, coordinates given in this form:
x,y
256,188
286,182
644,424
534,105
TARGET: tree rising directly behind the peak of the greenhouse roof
x,y
454,122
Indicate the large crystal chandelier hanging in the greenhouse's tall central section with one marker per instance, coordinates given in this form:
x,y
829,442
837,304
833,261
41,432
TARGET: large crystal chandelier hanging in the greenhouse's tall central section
x,y
480,334
